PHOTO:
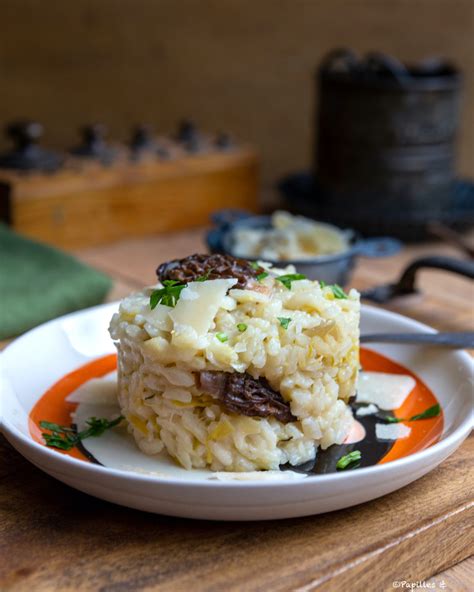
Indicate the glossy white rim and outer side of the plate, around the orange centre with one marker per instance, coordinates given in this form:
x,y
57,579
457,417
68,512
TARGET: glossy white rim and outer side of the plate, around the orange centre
x,y
39,358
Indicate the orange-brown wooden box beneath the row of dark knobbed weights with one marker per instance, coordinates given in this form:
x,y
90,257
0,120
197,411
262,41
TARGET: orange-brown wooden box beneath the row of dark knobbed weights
x,y
89,204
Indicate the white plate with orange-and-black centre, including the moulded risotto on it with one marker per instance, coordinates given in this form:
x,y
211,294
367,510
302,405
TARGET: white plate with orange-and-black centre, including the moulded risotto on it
x,y
229,374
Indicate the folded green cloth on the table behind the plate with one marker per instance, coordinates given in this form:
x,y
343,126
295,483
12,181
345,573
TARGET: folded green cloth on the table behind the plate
x,y
39,283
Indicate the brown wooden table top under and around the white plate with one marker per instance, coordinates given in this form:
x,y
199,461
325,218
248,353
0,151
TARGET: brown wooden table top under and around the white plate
x,y
56,538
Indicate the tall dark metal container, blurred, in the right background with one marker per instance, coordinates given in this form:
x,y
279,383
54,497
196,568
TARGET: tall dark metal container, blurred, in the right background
x,y
385,134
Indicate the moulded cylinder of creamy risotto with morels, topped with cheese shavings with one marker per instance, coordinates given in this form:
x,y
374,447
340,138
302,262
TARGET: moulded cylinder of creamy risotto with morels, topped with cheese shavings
x,y
237,366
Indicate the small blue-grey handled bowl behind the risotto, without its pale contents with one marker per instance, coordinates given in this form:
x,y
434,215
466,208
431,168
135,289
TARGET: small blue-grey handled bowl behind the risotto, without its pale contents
x,y
332,269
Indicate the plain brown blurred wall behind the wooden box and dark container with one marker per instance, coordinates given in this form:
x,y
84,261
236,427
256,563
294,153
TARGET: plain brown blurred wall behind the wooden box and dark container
x,y
241,65
